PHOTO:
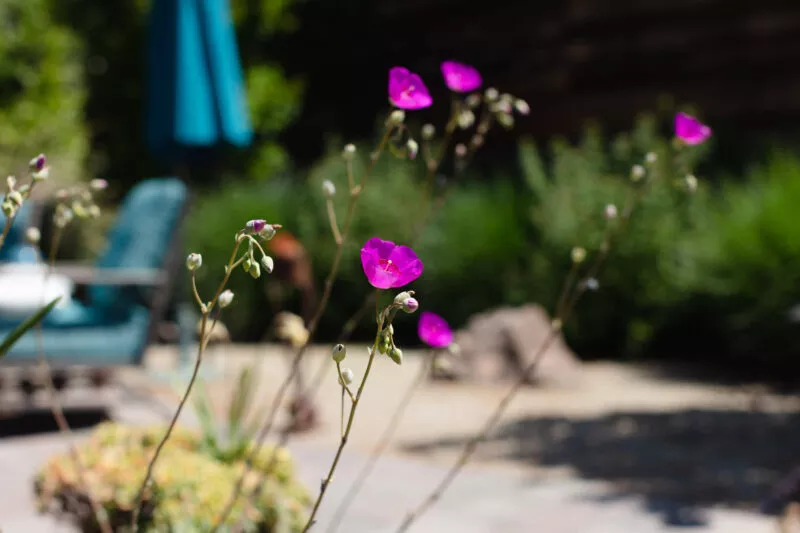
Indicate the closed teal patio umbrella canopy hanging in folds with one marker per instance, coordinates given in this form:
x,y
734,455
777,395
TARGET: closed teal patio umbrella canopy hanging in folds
x,y
196,97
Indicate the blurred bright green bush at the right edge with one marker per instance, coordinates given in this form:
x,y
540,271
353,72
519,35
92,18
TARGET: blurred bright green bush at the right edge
x,y
746,281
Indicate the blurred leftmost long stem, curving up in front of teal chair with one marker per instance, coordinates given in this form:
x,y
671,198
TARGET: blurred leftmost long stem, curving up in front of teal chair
x,y
101,517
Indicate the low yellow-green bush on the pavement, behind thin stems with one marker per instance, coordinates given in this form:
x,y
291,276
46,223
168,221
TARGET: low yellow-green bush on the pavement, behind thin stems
x,y
190,488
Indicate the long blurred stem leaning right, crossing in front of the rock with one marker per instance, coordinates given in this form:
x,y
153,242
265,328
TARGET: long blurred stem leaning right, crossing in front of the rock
x,y
571,297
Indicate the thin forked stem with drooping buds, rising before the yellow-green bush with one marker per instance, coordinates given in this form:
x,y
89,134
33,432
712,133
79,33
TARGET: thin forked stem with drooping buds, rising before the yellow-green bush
x,y
203,341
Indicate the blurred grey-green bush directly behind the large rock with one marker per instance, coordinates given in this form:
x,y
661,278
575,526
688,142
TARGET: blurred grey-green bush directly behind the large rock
x,y
641,280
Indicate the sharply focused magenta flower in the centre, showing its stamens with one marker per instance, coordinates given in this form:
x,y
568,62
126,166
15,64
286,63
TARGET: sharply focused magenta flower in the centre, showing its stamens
x,y
387,265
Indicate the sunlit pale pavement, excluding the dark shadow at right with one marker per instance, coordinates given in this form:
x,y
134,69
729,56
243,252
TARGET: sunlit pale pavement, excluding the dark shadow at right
x,y
492,496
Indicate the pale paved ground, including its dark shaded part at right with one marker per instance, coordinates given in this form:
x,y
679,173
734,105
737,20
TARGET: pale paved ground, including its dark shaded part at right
x,y
615,455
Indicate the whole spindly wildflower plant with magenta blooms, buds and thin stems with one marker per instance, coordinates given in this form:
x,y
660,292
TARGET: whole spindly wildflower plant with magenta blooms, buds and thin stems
x,y
387,266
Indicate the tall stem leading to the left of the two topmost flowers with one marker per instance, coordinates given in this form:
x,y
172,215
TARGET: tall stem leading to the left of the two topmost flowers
x,y
312,328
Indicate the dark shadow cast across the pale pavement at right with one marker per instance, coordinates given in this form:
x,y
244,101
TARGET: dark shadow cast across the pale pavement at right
x,y
679,462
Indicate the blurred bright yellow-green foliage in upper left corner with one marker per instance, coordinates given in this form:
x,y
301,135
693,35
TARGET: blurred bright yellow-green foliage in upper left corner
x,y
41,91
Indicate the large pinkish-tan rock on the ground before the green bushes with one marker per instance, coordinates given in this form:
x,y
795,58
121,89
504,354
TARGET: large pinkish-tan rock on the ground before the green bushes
x,y
498,345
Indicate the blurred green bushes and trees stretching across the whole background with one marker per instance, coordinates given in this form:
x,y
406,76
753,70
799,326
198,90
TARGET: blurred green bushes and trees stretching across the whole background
x,y
713,276
